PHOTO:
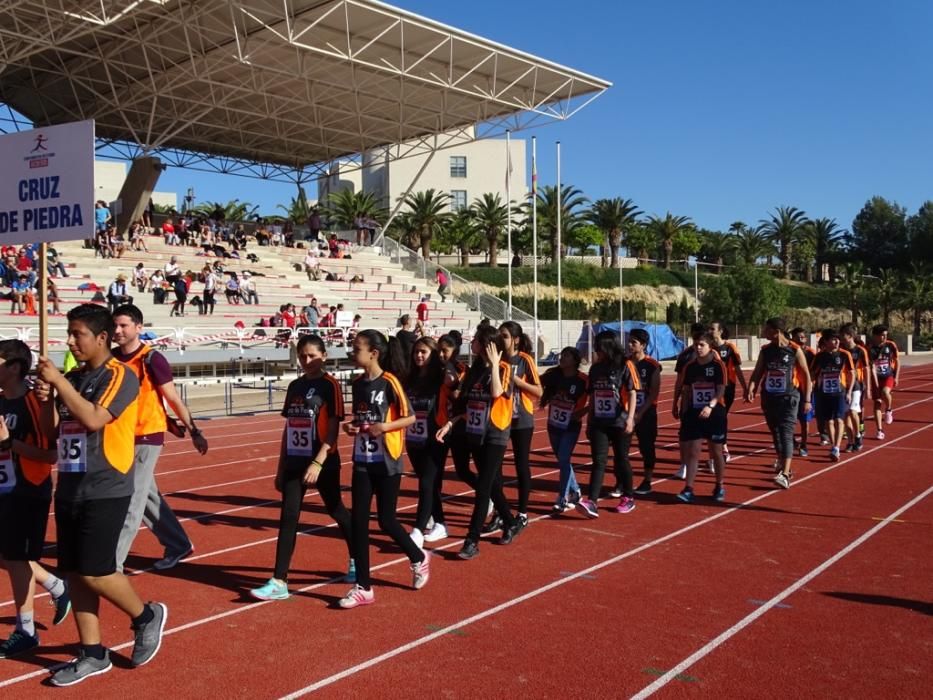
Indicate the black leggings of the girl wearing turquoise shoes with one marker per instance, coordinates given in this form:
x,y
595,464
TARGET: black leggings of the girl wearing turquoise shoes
x,y
293,492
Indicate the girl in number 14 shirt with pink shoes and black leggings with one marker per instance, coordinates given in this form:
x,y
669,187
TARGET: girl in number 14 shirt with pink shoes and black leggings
x,y
381,415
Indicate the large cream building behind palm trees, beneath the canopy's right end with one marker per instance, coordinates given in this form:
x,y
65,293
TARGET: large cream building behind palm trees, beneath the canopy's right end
x,y
465,172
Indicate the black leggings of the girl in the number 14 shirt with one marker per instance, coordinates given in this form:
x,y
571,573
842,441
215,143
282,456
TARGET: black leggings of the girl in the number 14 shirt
x,y
385,487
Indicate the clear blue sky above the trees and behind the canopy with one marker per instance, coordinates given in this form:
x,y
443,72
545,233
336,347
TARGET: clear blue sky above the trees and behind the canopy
x,y
719,111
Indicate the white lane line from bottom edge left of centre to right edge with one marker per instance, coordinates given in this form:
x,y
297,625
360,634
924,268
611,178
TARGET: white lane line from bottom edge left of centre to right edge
x,y
414,644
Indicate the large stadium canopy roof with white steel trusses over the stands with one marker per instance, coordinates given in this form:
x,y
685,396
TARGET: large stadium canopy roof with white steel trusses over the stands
x,y
278,89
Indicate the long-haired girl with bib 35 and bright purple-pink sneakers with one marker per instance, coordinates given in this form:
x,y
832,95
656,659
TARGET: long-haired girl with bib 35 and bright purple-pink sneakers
x,y
613,387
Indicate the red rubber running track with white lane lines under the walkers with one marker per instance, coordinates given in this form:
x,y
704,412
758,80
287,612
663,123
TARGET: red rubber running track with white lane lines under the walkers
x,y
822,590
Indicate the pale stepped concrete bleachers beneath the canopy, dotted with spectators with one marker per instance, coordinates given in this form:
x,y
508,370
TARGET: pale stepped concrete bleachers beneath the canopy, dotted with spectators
x,y
386,293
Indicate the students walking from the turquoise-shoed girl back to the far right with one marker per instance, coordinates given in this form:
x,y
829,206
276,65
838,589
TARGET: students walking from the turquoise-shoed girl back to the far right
x,y
430,404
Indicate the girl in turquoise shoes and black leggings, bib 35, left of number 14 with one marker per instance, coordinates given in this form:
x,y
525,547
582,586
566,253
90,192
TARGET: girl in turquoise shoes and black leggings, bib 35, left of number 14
x,y
308,457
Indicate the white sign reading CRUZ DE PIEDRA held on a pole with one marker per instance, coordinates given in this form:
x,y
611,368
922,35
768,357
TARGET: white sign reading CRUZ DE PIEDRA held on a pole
x,y
47,184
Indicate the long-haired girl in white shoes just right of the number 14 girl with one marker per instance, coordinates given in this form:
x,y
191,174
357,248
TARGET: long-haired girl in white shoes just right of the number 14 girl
x,y
425,453
